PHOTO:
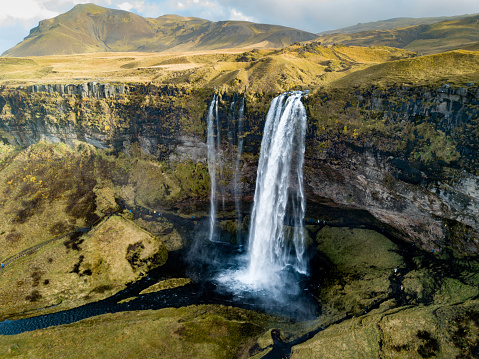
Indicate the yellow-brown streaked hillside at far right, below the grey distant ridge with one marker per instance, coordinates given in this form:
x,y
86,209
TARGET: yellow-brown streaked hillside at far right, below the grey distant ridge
x,y
426,39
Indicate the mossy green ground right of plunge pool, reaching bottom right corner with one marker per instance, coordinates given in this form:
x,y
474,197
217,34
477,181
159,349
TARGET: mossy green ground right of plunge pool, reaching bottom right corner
x,y
400,304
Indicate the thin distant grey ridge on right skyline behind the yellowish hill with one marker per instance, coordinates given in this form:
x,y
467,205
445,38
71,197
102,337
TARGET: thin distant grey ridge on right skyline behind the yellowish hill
x,y
392,24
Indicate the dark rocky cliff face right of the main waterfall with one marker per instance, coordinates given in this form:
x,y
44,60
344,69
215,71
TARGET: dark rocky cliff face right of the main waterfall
x,y
409,157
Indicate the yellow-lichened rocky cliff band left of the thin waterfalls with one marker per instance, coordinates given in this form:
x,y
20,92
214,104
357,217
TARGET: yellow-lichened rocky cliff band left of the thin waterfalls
x,y
108,116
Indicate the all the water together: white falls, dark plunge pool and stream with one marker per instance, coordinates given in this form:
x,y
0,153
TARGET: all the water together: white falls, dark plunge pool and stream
x,y
271,276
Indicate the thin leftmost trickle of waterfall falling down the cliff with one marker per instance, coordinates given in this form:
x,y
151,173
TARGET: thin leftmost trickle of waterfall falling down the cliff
x,y
210,141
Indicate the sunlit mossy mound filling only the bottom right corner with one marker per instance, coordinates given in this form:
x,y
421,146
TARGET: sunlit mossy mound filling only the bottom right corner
x,y
449,331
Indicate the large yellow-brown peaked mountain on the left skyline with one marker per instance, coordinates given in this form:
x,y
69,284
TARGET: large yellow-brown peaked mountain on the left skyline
x,y
91,28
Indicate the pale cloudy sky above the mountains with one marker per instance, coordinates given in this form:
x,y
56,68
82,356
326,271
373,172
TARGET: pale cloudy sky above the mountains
x,y
17,17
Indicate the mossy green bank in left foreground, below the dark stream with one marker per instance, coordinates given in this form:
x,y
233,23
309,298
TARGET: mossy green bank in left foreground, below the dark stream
x,y
189,332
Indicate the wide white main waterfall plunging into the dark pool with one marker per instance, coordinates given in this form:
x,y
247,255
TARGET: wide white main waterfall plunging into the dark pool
x,y
279,178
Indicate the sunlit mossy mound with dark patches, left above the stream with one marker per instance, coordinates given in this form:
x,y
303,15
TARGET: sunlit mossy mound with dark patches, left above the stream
x,y
79,269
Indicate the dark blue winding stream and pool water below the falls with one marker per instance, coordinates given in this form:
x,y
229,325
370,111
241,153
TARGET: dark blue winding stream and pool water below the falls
x,y
207,291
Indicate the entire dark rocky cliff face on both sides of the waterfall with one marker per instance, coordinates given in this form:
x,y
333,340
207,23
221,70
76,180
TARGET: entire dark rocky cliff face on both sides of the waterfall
x,y
405,155
